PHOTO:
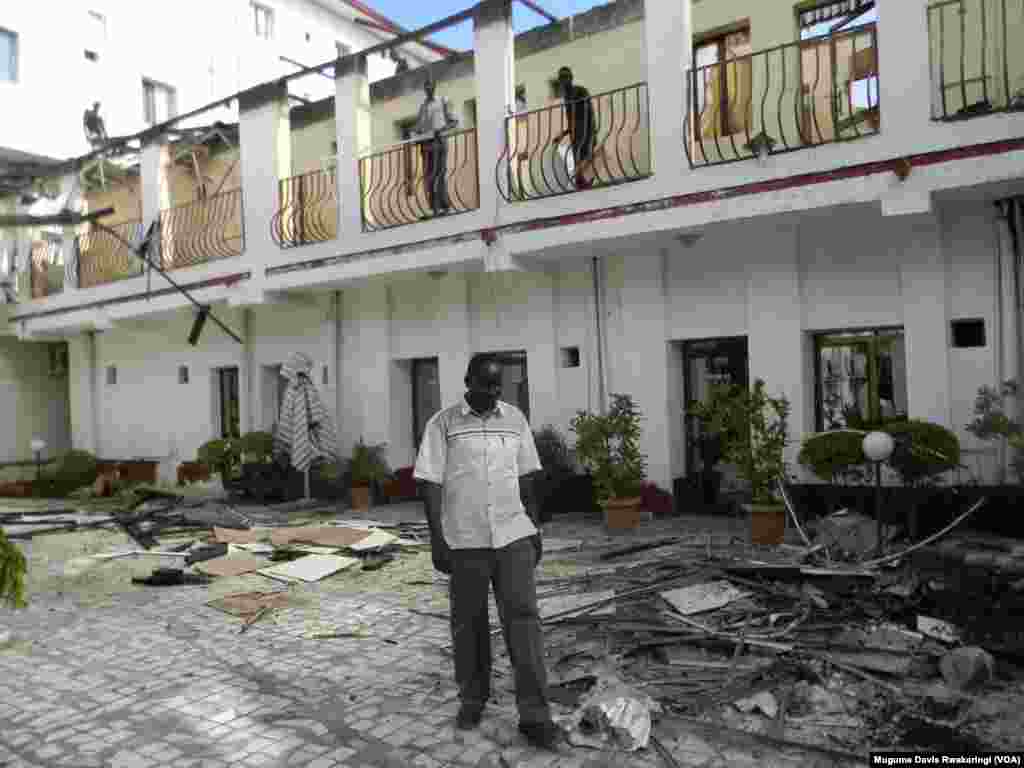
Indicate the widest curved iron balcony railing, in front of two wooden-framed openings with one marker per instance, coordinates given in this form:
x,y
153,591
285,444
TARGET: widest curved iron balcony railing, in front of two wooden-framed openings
x,y
801,95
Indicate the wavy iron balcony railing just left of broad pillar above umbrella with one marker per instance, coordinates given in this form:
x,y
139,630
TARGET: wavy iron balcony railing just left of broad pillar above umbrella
x,y
207,230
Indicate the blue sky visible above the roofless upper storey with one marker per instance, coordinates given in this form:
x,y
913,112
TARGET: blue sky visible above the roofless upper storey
x,y
415,14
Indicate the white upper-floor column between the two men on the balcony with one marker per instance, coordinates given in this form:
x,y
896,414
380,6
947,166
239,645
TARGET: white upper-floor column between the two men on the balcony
x,y
495,73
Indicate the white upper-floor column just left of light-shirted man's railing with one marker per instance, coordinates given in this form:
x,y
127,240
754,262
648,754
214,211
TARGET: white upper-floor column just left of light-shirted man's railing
x,y
352,111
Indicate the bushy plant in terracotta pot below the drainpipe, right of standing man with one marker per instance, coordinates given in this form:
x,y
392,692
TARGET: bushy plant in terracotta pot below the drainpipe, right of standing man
x,y
609,446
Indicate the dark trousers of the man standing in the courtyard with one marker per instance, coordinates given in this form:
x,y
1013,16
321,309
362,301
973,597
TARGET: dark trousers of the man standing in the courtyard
x,y
510,570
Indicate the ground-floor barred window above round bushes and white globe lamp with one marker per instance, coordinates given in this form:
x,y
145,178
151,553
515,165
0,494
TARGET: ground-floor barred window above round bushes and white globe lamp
x,y
861,378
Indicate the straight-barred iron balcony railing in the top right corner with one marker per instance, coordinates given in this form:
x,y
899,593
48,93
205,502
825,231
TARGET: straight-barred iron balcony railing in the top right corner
x,y
977,58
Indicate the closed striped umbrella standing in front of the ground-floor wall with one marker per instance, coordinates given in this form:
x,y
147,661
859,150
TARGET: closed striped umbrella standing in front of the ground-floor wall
x,y
306,432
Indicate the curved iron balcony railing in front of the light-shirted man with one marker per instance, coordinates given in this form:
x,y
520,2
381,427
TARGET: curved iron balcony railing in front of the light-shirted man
x,y
400,186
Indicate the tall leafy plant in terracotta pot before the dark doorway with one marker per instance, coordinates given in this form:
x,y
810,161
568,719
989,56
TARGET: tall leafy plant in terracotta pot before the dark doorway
x,y
753,429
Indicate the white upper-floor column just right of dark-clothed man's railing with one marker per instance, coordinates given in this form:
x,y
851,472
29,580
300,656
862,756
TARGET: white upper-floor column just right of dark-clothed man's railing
x,y
668,42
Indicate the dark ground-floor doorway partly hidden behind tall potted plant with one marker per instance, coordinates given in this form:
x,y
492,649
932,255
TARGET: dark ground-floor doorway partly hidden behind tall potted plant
x,y
707,363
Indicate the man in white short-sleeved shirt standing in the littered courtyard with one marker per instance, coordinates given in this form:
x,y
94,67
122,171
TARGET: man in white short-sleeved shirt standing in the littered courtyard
x,y
476,464
